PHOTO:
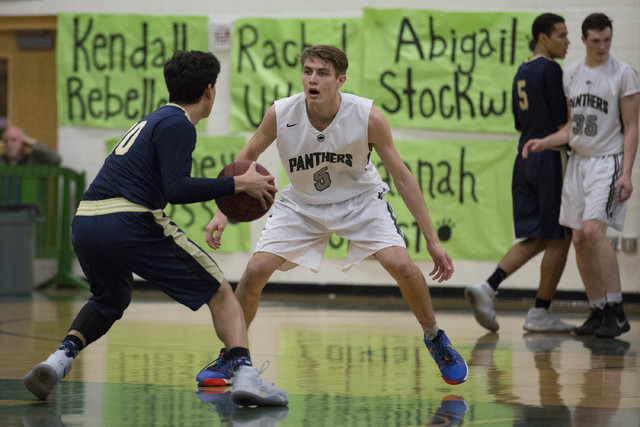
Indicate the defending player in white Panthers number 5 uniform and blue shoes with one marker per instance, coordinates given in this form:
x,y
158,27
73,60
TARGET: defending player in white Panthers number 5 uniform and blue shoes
x,y
324,139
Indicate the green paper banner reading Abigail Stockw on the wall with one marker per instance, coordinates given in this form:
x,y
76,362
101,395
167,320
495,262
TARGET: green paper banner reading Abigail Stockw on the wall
x,y
444,70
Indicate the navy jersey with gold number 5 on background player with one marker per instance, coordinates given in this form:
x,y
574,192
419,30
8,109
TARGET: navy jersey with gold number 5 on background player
x,y
539,104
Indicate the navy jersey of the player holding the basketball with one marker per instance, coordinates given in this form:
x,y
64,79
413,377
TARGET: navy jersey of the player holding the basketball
x,y
151,165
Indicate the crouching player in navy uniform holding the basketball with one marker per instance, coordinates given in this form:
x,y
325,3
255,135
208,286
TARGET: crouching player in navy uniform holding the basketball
x,y
120,229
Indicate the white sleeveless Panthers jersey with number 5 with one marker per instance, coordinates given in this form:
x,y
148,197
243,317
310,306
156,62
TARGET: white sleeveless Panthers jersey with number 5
x,y
326,166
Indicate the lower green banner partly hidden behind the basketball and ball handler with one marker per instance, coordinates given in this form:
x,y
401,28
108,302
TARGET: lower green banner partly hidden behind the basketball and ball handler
x,y
209,157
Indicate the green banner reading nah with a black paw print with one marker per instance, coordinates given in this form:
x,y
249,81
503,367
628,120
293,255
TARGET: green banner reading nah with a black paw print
x,y
467,188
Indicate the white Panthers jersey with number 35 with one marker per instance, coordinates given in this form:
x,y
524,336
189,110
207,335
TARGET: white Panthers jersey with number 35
x,y
593,95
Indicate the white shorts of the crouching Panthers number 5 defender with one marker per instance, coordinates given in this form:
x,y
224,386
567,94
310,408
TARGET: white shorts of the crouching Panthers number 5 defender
x,y
300,232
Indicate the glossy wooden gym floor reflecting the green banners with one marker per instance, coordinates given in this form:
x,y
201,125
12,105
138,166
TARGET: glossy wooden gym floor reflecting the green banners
x,y
355,364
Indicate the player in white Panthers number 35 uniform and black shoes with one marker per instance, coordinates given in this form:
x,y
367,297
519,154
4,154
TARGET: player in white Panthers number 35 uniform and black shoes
x,y
603,94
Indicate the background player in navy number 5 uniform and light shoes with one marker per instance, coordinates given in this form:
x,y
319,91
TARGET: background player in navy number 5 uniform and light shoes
x,y
539,109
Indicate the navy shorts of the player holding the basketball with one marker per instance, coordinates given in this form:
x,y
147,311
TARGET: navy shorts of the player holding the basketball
x,y
112,247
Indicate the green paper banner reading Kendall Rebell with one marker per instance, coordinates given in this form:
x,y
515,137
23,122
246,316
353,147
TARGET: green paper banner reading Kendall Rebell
x,y
110,67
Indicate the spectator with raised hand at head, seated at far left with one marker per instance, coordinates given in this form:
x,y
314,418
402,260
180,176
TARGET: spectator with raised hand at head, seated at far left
x,y
15,143
